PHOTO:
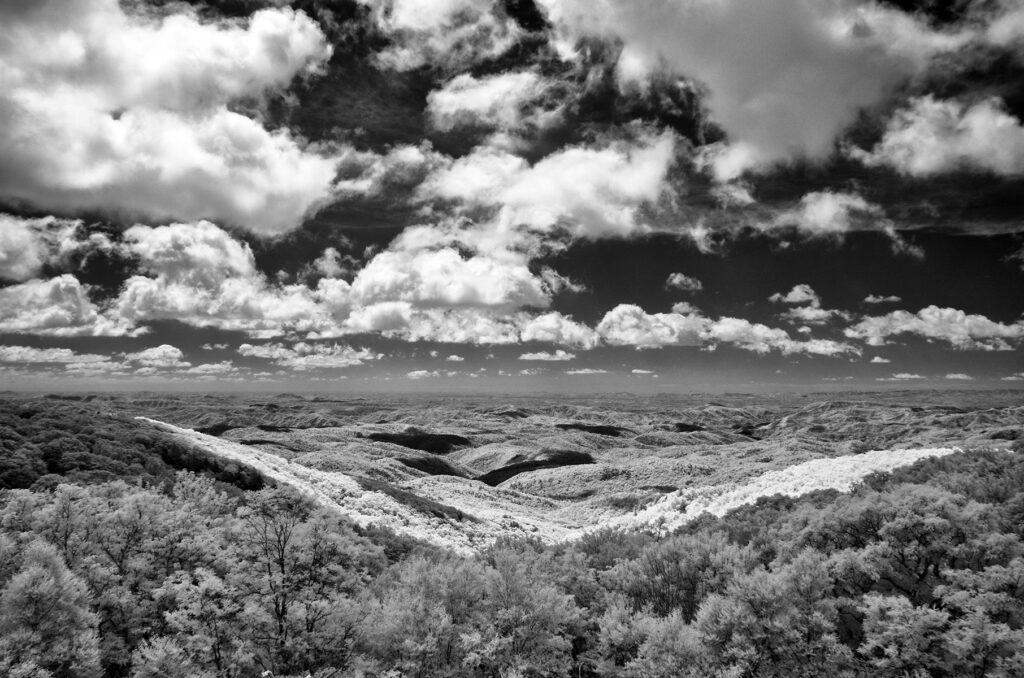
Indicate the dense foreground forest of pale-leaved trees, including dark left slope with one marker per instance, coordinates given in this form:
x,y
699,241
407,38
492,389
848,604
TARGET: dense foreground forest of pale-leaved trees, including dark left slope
x,y
114,564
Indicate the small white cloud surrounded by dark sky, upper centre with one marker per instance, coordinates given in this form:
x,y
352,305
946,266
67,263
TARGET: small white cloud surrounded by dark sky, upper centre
x,y
507,102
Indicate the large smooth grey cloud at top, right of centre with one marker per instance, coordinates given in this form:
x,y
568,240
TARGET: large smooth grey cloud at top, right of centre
x,y
783,79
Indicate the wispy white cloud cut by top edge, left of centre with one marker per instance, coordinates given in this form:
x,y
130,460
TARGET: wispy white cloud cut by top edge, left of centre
x,y
451,34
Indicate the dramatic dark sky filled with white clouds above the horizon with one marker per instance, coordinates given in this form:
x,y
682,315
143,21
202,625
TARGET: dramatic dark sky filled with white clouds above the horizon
x,y
511,196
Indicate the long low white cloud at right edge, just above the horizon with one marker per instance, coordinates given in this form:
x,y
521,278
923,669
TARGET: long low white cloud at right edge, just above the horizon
x,y
961,330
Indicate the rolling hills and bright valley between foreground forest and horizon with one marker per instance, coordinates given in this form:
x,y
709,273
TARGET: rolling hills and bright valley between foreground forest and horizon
x,y
463,472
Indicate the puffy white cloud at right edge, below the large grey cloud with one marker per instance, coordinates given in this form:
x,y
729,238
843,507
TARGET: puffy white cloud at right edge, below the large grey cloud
x,y
934,137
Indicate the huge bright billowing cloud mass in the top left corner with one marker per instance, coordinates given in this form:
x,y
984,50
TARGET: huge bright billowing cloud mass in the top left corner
x,y
130,113
